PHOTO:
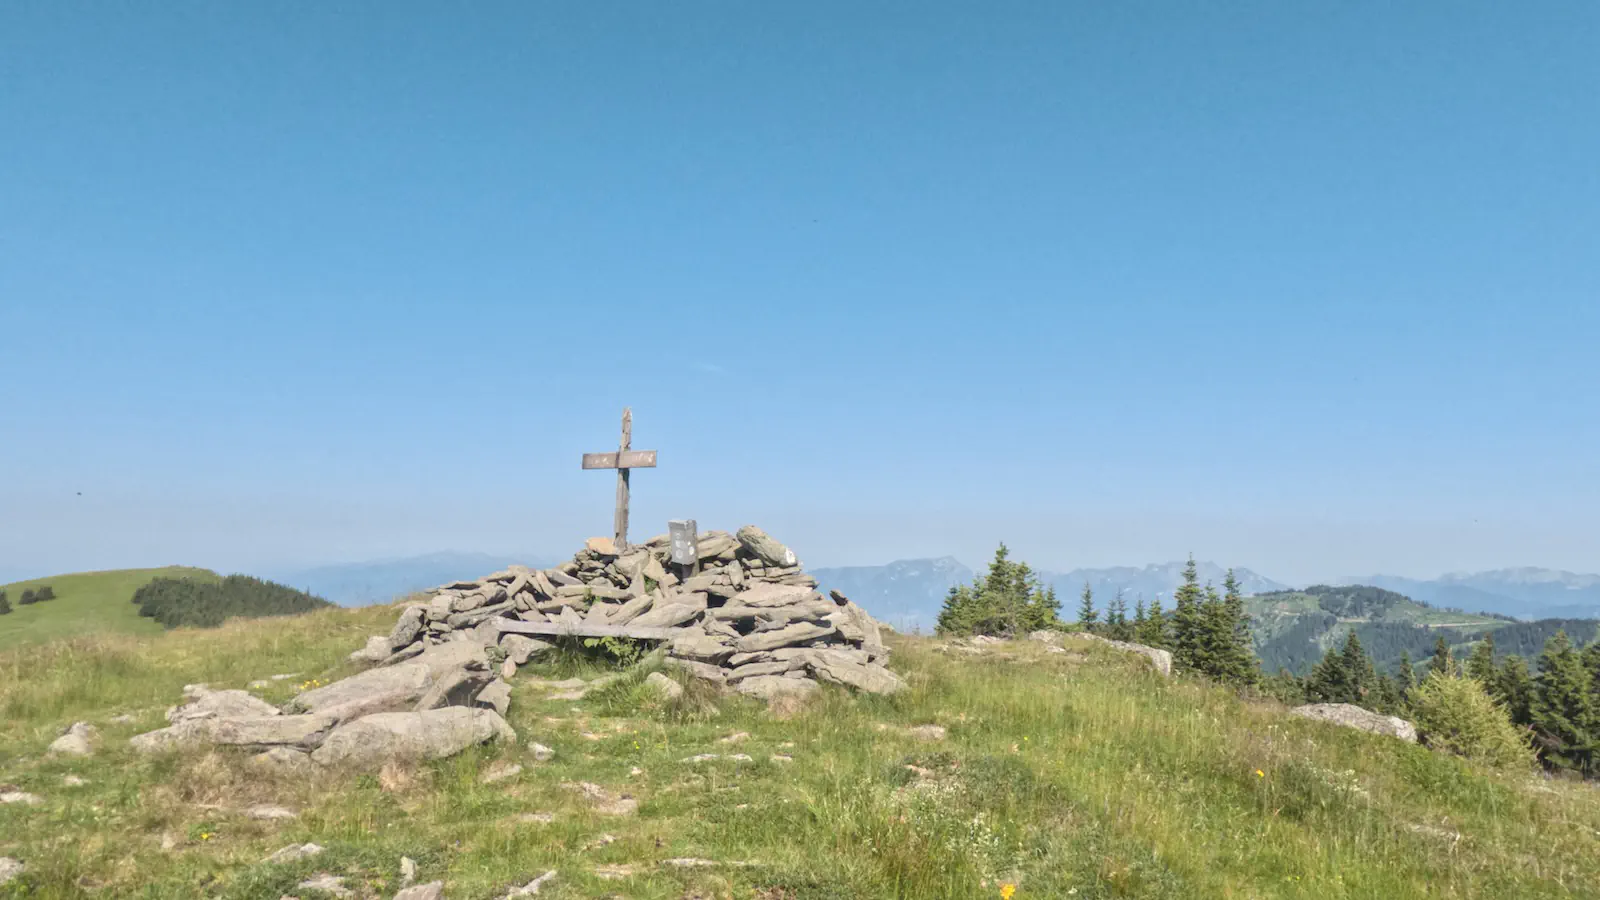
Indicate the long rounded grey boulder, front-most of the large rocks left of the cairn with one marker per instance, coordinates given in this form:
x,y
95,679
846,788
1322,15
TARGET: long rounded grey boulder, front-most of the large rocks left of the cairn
x,y
433,734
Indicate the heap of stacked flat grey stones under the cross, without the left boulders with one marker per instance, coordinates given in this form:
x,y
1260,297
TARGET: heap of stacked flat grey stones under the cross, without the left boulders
x,y
746,616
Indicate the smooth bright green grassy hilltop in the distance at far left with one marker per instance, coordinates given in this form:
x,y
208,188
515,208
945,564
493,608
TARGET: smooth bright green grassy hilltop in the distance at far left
x,y
89,603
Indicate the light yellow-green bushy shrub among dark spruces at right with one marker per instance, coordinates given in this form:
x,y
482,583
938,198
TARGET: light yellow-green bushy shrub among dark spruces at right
x,y
1457,715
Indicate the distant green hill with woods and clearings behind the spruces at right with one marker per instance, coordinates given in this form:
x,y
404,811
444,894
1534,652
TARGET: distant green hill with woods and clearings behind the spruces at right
x,y
1294,629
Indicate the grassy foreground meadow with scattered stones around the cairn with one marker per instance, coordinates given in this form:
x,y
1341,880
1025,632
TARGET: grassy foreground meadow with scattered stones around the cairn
x,y
1071,774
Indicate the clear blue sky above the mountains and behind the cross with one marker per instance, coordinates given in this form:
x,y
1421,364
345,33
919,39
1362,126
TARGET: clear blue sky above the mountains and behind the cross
x,y
1305,287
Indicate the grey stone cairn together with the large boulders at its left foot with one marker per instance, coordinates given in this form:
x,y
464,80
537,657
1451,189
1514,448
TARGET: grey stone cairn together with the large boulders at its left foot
x,y
745,617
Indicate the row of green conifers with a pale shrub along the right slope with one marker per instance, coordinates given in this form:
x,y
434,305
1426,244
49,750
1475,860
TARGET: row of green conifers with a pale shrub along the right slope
x,y
1500,715
